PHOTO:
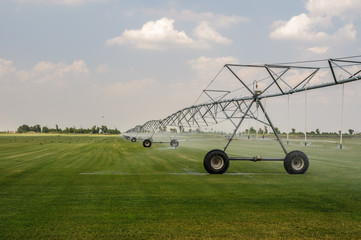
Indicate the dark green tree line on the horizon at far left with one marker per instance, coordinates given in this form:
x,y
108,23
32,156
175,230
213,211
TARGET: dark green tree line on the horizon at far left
x,y
94,130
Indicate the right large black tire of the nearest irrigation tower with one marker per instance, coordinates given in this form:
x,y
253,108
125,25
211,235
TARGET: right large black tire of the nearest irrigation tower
x,y
296,162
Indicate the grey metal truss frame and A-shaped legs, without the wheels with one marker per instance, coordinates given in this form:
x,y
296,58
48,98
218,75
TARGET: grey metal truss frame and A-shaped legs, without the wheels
x,y
235,110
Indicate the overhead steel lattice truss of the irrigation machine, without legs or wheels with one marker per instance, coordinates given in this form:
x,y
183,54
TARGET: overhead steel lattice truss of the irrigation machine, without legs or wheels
x,y
235,104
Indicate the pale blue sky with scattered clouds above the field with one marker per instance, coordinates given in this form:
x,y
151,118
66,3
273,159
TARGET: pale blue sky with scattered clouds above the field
x,y
72,62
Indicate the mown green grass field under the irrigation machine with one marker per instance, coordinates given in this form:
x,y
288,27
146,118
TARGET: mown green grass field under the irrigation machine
x,y
92,187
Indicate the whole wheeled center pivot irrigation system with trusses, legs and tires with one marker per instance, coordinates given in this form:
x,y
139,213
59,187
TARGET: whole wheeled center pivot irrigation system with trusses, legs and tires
x,y
237,92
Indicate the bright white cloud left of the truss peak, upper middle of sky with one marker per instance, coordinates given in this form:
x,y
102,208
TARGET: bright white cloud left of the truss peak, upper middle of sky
x,y
161,35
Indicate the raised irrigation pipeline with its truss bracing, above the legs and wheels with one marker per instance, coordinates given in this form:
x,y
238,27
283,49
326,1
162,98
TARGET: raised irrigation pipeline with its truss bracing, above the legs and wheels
x,y
215,111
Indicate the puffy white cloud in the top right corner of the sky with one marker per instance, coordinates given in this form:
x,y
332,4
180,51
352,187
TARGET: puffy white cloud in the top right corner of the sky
x,y
317,23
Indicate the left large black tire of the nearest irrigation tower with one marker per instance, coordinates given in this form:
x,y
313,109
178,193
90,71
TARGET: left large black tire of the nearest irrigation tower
x,y
216,162
